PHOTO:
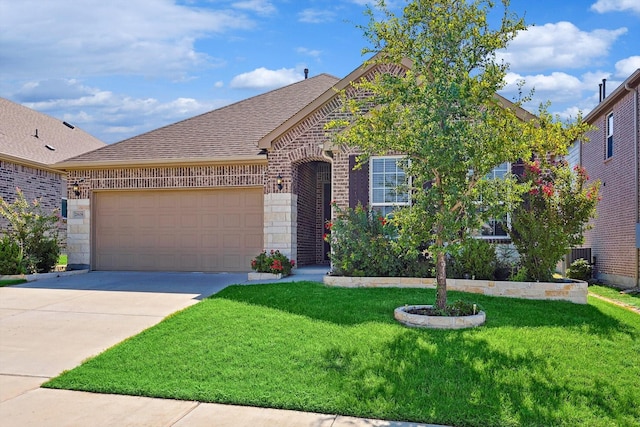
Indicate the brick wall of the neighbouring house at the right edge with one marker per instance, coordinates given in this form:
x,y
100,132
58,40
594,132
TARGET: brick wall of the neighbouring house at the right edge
x,y
612,238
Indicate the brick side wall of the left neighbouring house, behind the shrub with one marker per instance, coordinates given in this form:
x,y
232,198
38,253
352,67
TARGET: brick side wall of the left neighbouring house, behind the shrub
x,y
35,184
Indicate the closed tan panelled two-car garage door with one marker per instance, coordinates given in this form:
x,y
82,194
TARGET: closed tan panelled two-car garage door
x,y
190,230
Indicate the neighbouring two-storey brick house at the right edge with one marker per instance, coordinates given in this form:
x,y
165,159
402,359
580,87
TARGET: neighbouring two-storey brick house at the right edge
x,y
611,156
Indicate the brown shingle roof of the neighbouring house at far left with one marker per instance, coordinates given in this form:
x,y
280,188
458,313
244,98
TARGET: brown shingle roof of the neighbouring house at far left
x,y
55,141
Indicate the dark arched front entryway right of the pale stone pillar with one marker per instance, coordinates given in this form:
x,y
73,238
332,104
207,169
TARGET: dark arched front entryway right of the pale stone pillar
x,y
313,179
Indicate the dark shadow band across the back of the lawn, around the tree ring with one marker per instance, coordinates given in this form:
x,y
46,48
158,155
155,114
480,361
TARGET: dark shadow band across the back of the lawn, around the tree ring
x,y
347,306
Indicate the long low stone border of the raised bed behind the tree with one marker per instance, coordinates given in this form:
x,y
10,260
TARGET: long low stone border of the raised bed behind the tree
x,y
574,291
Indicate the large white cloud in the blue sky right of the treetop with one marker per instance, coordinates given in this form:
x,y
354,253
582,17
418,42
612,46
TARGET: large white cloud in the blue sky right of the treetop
x,y
560,46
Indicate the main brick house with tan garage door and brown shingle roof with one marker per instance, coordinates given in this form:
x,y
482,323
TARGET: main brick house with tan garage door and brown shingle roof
x,y
210,192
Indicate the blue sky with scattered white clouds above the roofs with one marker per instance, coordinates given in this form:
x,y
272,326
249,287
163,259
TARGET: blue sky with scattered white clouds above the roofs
x,y
119,68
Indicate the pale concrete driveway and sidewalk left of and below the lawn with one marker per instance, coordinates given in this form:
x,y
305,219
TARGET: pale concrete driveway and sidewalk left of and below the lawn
x,y
52,325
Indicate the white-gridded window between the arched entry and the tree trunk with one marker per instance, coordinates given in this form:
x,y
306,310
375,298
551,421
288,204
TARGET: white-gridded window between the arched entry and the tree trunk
x,y
389,187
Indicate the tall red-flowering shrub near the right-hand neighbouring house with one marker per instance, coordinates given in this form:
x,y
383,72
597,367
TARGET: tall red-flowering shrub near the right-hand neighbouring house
x,y
553,216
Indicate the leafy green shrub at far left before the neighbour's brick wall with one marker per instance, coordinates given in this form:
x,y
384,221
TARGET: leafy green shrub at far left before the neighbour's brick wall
x,y
34,230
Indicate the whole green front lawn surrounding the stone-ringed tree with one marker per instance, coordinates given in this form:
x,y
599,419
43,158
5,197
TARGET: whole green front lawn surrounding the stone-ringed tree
x,y
308,347
